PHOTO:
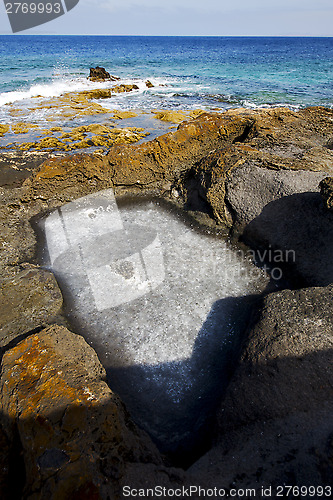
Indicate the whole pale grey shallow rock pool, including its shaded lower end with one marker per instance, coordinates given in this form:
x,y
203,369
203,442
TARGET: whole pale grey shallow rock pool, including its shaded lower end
x,y
162,303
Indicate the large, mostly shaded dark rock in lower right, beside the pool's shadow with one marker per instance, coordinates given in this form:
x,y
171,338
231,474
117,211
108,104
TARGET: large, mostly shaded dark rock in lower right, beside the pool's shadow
x,y
274,424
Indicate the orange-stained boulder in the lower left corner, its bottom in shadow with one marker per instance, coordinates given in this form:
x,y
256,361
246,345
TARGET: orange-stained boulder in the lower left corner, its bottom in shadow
x,y
77,438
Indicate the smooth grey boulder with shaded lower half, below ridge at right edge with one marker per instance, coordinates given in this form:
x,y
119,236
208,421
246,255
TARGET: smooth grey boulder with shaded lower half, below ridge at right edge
x,y
283,210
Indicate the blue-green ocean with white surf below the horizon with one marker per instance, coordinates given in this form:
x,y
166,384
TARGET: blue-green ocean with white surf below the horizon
x,y
188,72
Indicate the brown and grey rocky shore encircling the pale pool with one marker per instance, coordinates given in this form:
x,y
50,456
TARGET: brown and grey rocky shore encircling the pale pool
x,y
252,175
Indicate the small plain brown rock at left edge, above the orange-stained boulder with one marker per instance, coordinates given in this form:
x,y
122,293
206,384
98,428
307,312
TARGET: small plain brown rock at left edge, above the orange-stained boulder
x,y
28,301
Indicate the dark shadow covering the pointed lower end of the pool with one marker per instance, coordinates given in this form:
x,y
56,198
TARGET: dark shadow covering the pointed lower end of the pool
x,y
176,402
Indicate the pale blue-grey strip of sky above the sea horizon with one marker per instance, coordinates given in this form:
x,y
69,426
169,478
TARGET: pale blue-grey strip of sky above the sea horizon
x,y
190,18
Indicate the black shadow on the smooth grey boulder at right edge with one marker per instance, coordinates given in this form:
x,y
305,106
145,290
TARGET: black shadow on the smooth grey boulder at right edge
x,y
300,225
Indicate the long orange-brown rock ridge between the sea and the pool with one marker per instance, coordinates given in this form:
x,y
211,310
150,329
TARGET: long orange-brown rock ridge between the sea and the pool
x,y
184,159
